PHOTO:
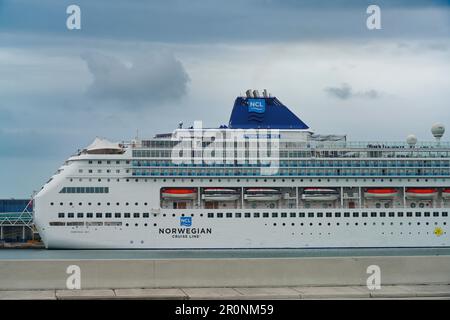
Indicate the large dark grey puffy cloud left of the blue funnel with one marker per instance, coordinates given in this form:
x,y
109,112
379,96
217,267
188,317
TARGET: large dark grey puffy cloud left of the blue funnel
x,y
156,78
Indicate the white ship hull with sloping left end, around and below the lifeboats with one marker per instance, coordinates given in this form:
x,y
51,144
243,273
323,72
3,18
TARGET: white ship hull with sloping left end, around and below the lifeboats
x,y
162,229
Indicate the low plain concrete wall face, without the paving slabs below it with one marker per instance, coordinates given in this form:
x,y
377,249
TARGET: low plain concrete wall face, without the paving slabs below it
x,y
225,272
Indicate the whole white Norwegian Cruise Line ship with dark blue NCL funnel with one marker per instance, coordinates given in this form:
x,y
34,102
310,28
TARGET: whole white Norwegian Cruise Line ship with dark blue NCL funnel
x,y
264,180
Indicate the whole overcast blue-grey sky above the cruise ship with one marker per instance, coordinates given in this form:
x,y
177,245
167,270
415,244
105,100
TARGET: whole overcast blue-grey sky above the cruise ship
x,y
141,67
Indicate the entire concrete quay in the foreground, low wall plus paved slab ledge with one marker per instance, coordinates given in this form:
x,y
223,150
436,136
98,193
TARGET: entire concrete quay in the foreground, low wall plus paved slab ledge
x,y
228,278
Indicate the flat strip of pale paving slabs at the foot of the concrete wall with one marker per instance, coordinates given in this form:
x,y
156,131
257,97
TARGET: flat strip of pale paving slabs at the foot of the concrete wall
x,y
266,293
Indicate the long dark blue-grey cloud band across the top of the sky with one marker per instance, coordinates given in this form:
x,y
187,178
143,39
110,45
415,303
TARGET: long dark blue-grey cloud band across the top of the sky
x,y
178,21
